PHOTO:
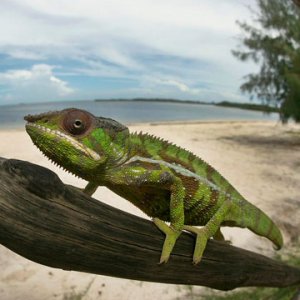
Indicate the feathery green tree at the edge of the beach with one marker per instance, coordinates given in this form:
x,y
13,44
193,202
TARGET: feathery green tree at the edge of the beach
x,y
274,43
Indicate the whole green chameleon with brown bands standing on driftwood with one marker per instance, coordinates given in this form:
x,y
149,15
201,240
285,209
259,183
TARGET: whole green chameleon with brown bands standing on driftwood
x,y
176,188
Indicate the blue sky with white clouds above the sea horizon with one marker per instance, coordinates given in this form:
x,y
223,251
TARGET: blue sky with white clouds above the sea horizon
x,y
92,49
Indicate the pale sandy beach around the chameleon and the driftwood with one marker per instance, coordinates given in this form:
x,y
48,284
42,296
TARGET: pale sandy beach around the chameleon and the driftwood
x,y
261,159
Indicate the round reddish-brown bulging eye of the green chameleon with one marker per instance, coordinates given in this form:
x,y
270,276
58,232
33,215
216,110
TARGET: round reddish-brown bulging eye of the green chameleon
x,y
77,122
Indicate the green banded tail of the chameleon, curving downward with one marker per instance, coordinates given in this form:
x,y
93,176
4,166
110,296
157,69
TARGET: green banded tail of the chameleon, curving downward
x,y
258,222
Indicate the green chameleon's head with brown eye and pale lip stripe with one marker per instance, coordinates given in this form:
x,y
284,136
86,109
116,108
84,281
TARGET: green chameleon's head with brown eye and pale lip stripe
x,y
77,140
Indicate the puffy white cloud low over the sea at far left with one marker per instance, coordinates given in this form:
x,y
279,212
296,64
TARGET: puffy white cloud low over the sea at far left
x,y
36,84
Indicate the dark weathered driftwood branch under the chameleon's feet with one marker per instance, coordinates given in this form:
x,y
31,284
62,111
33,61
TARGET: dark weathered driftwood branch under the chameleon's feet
x,y
57,225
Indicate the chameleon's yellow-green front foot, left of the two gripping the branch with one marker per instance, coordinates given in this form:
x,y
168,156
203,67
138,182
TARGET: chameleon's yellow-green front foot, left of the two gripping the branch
x,y
170,240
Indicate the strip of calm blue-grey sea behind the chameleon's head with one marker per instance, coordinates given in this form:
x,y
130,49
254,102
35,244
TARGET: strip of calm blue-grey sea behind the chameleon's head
x,y
11,116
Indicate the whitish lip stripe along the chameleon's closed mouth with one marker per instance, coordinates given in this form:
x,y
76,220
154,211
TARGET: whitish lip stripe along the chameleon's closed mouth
x,y
62,136
